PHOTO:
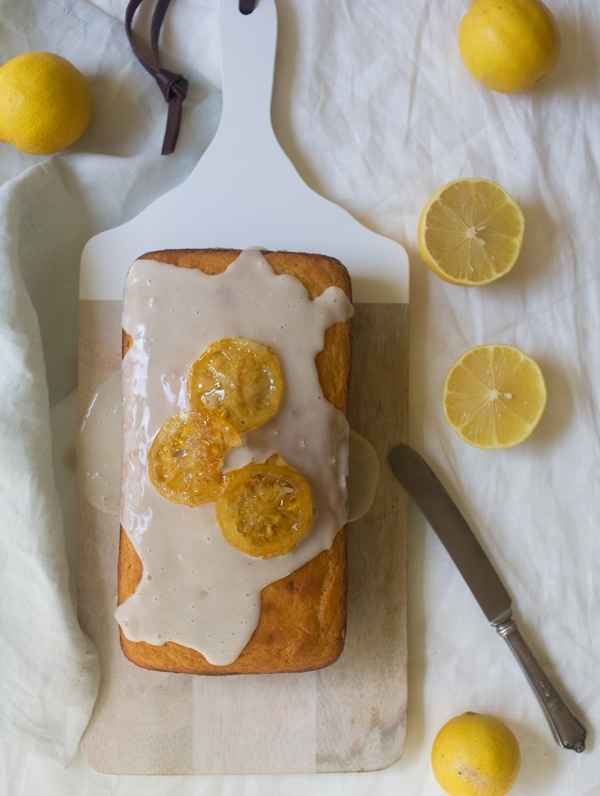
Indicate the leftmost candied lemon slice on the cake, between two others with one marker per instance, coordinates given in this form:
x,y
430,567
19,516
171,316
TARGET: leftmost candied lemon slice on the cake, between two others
x,y
184,462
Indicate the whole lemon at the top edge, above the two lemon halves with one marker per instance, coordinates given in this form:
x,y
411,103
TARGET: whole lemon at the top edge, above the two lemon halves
x,y
509,45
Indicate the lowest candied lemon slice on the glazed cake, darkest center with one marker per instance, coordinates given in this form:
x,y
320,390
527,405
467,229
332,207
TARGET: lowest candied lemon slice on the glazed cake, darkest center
x,y
264,509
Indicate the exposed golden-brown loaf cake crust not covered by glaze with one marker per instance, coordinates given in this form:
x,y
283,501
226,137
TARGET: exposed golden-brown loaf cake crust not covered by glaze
x,y
303,616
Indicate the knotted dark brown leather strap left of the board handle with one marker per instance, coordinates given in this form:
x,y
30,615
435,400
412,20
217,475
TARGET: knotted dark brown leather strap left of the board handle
x,y
172,85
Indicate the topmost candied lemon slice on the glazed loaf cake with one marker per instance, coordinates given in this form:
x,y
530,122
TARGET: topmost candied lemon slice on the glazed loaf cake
x,y
239,380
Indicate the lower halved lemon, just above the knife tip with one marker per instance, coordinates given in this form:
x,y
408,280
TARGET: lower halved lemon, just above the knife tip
x,y
494,396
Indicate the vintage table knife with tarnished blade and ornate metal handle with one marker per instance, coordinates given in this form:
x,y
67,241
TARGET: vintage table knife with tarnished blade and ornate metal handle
x,y
432,498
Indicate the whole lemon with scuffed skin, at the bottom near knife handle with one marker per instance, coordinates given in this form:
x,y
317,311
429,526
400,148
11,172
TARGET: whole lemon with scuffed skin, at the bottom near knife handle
x,y
475,755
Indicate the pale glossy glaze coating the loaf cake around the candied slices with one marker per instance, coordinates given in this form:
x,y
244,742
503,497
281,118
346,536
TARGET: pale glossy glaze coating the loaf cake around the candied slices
x,y
197,590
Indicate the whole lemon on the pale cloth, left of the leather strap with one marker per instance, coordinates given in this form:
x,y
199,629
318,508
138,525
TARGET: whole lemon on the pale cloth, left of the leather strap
x,y
45,103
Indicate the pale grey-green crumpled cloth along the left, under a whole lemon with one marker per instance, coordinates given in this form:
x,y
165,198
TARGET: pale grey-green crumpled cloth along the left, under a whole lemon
x,y
49,207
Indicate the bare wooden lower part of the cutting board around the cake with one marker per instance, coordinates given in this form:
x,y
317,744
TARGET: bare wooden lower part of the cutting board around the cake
x,y
348,717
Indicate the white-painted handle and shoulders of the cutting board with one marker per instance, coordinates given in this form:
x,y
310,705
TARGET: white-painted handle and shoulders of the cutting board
x,y
244,190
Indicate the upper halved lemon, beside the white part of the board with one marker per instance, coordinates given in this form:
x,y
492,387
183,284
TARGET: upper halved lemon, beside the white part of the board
x,y
471,231
